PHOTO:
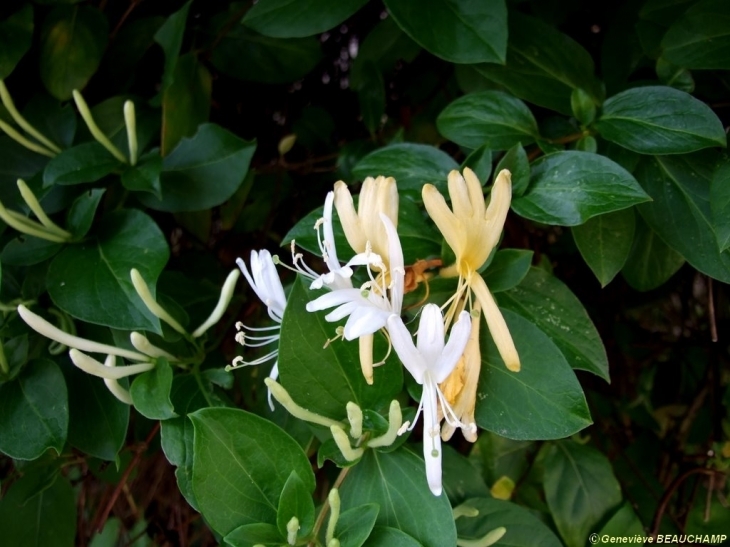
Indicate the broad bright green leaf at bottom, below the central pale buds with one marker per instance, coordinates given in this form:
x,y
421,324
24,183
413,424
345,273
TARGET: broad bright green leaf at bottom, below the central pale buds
x,y
240,466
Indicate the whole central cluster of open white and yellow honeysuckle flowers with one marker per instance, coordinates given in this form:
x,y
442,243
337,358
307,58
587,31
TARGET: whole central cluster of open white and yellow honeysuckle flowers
x,y
447,370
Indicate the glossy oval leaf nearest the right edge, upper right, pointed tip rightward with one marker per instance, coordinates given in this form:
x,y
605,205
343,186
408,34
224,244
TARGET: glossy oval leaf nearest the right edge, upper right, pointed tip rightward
x,y
660,120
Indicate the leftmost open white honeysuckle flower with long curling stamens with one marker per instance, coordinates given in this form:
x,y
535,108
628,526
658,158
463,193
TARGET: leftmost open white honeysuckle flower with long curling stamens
x,y
266,284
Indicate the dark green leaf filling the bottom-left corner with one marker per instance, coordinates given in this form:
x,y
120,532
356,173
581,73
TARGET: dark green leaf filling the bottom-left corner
x,y
45,520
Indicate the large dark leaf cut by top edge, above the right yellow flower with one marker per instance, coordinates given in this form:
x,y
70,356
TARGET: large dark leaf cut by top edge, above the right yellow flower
x,y
469,31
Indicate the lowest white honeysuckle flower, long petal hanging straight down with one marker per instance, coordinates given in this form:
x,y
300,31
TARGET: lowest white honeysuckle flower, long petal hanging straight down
x,y
430,361
